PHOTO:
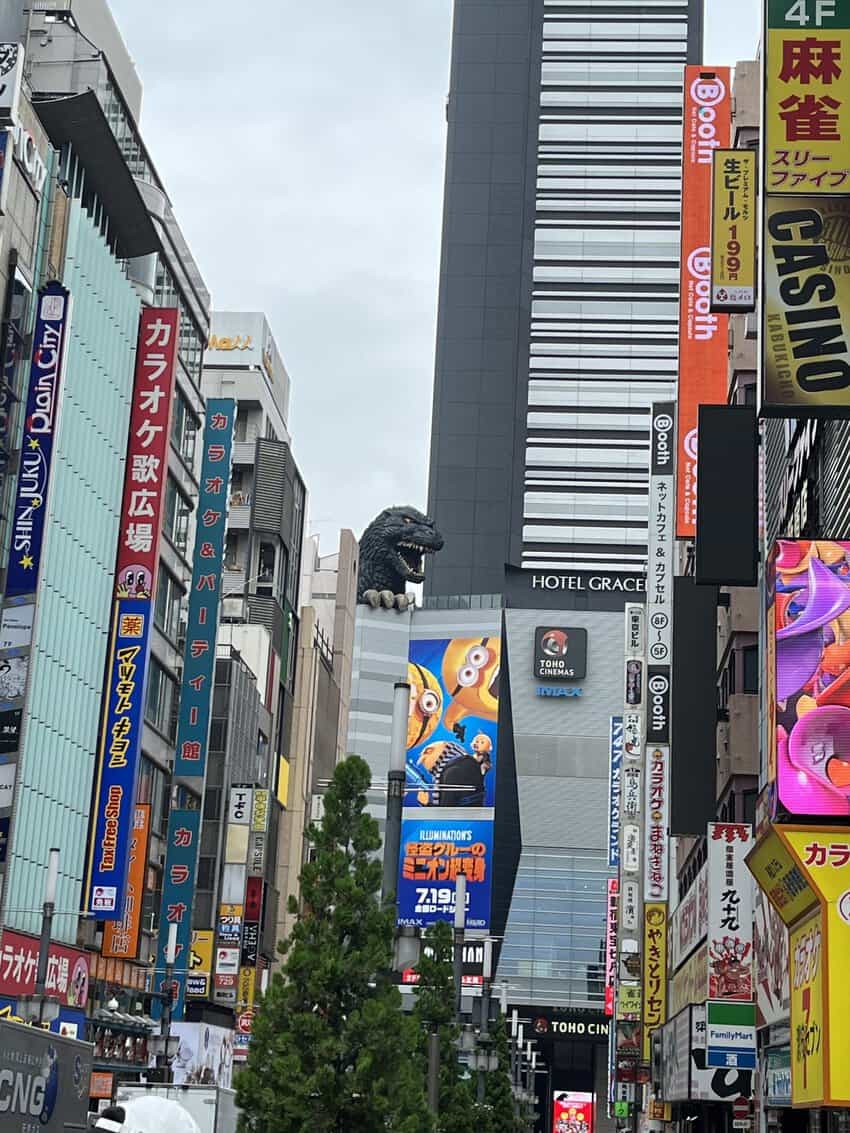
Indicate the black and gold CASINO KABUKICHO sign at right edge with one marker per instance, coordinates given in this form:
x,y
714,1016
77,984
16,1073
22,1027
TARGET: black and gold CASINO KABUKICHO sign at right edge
x,y
806,305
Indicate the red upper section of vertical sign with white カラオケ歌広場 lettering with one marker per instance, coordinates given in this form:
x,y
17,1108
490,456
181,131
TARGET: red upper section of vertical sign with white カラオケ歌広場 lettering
x,y
146,475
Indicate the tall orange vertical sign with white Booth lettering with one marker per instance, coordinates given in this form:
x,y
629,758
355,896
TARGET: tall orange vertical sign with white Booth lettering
x,y
703,335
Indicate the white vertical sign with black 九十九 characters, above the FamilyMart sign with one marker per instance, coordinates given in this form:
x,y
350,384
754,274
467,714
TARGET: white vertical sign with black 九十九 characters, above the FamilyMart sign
x,y
730,913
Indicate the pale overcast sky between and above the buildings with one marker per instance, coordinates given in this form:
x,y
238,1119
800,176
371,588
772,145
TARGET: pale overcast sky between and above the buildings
x,y
302,146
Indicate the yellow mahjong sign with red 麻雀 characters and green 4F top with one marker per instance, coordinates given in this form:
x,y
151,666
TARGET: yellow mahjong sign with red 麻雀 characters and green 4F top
x,y
807,109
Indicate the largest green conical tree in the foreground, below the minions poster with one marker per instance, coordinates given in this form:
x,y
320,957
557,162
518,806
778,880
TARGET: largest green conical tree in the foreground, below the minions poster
x,y
331,1049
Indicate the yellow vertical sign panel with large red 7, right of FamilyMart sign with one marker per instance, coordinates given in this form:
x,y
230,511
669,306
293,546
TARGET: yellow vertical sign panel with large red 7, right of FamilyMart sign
x,y
807,1013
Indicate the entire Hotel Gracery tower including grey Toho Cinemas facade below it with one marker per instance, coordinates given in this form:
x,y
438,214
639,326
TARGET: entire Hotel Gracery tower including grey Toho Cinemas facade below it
x,y
557,331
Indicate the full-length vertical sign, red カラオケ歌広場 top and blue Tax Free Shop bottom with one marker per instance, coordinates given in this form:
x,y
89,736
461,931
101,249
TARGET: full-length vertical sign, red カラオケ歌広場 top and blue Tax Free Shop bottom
x,y
138,559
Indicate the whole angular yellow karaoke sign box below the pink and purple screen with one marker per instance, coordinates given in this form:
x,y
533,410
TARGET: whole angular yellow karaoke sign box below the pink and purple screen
x,y
823,855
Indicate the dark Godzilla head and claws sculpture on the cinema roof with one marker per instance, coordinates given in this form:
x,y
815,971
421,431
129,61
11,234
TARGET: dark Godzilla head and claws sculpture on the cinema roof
x,y
392,557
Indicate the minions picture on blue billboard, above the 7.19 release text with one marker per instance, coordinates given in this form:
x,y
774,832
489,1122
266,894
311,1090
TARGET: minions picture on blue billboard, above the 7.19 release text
x,y
454,723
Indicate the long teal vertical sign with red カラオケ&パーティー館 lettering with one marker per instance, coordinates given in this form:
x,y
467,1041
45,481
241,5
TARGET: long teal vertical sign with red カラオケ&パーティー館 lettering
x,y
199,677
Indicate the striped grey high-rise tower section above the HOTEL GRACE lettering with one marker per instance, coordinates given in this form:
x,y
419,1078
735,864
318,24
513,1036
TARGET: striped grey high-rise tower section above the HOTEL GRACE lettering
x,y
559,283
